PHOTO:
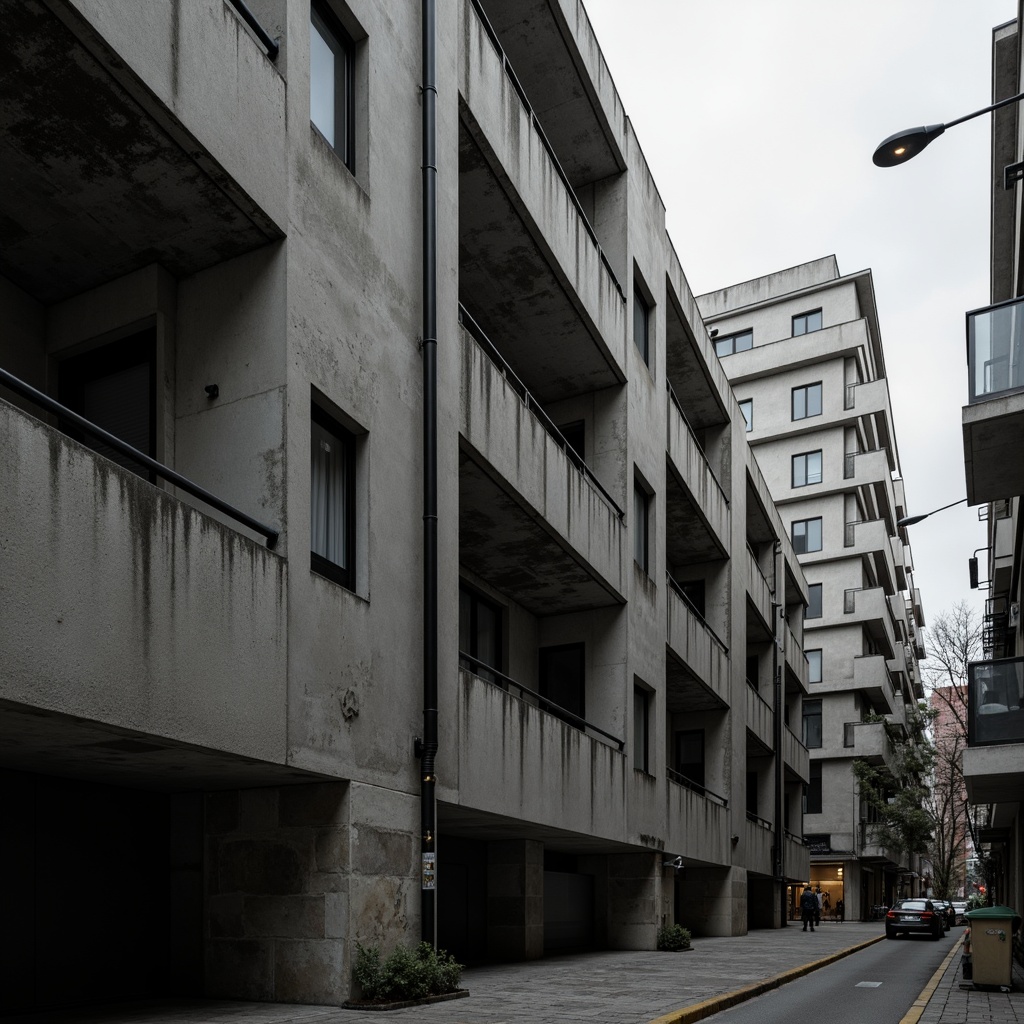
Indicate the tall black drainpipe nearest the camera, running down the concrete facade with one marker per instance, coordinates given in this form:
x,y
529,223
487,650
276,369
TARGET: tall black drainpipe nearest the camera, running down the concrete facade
x,y
428,750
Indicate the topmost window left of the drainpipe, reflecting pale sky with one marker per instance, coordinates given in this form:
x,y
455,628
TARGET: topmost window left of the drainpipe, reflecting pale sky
x,y
332,81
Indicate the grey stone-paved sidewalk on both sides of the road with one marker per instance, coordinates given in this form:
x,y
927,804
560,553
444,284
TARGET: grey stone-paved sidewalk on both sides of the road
x,y
605,989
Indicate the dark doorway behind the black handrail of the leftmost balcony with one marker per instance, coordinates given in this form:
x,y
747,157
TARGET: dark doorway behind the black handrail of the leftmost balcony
x,y
115,389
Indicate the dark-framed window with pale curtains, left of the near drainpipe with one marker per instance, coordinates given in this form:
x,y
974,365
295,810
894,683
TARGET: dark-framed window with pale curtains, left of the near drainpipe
x,y
332,500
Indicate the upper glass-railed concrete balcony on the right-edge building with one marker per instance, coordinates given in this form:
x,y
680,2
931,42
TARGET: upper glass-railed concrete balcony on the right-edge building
x,y
994,418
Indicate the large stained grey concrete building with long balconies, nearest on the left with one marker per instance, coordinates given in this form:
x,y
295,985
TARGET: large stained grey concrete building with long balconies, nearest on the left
x,y
226,244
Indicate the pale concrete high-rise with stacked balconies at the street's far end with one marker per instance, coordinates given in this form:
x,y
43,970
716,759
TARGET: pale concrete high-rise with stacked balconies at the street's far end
x,y
803,352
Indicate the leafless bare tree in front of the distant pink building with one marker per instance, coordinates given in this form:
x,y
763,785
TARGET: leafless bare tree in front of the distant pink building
x,y
954,642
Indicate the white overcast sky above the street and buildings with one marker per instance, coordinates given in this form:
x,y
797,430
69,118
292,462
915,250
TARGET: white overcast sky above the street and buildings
x,y
759,118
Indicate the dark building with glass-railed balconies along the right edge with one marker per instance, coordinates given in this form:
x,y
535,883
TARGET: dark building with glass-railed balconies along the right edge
x,y
994,455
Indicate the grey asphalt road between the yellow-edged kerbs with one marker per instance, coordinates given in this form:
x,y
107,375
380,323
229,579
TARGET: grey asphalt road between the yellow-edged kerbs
x,y
878,986
